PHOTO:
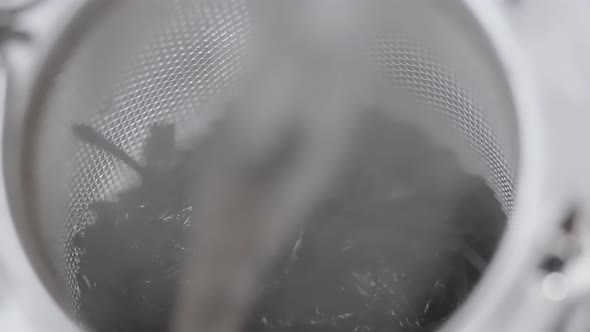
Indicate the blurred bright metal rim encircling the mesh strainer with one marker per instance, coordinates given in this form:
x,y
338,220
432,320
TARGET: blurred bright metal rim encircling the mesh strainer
x,y
503,300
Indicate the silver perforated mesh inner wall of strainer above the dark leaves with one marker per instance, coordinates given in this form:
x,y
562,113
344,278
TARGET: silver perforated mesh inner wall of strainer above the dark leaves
x,y
164,62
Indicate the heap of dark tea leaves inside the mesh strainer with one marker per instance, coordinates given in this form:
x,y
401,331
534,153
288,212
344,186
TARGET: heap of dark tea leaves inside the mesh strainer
x,y
396,245
